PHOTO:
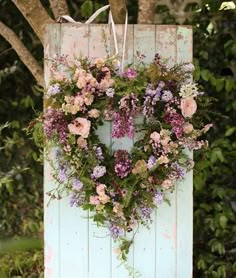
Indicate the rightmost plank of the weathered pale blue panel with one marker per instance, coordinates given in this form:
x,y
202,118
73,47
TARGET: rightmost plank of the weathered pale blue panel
x,y
185,189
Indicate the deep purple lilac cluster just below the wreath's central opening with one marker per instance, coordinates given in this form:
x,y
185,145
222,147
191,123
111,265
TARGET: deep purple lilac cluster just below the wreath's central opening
x,y
122,163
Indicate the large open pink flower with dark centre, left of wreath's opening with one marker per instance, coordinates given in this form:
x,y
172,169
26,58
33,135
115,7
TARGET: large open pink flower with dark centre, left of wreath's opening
x,y
80,126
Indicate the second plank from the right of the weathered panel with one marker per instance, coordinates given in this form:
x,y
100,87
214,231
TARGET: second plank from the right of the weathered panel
x,y
166,215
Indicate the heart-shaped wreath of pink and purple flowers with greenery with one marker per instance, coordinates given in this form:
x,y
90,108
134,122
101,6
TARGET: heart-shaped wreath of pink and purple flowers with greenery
x,y
121,188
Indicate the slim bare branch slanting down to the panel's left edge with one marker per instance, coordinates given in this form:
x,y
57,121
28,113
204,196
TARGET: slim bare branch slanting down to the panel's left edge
x,y
23,53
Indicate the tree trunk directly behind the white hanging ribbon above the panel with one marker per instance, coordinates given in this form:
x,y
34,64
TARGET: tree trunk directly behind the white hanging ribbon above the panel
x,y
118,10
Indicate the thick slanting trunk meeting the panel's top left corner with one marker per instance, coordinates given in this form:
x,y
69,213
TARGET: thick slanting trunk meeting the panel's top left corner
x,y
35,14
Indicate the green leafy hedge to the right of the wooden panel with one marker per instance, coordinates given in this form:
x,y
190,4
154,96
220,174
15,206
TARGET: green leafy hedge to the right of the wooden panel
x,y
214,176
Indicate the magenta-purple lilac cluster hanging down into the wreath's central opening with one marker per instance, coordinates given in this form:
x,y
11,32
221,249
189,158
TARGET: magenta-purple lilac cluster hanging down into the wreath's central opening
x,y
122,125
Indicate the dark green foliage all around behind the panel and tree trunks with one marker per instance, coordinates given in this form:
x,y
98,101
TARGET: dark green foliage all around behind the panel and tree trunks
x,y
21,185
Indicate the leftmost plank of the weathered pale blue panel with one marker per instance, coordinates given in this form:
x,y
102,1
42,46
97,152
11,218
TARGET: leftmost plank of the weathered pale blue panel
x,y
51,212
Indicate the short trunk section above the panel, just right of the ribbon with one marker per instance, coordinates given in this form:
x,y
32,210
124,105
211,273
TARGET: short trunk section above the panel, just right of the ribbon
x,y
146,11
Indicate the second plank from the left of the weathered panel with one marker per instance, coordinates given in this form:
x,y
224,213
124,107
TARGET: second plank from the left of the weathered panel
x,y
73,222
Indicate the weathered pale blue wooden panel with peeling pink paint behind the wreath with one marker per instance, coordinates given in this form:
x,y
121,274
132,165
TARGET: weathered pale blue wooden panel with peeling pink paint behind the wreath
x,y
74,246
